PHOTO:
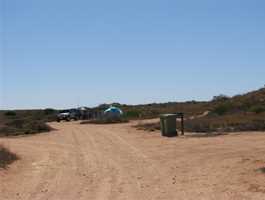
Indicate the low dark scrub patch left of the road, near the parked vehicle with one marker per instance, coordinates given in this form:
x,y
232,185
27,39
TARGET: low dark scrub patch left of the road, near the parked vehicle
x,y
19,122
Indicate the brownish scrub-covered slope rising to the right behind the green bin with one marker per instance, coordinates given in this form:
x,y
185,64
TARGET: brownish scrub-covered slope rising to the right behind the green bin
x,y
240,113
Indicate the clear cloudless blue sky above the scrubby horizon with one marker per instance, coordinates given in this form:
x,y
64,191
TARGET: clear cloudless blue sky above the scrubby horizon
x,y
64,53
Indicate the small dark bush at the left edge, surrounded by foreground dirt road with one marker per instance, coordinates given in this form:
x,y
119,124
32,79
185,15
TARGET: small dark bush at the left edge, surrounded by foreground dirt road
x,y
6,157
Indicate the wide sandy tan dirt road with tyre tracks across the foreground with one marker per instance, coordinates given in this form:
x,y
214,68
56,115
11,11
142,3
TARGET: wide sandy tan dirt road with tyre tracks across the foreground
x,y
115,162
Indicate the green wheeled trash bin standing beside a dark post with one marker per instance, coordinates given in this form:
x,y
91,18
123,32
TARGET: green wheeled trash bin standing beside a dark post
x,y
168,125
